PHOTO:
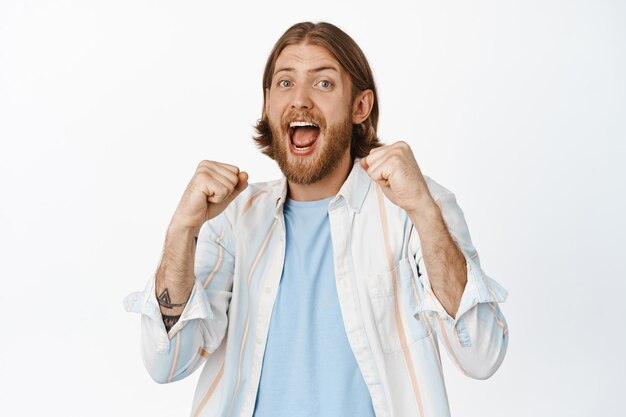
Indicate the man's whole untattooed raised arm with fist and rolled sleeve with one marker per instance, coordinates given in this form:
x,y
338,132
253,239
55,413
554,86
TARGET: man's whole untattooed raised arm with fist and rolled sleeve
x,y
460,299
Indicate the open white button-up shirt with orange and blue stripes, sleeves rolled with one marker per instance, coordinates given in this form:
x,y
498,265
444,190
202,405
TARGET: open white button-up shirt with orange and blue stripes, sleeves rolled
x,y
393,320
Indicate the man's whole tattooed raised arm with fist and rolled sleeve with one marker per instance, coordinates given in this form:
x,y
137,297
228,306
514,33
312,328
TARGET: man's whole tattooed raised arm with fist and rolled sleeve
x,y
184,315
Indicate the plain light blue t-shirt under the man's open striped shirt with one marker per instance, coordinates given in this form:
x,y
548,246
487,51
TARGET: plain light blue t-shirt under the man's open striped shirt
x,y
308,367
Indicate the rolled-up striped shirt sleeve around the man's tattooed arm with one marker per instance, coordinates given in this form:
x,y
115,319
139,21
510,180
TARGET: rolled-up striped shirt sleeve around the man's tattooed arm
x,y
202,326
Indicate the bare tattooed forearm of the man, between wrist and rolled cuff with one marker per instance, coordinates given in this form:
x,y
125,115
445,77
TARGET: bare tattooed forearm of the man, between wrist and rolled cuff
x,y
175,275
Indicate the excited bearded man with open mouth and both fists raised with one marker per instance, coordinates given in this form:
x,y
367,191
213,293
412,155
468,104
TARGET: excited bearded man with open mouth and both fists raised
x,y
324,293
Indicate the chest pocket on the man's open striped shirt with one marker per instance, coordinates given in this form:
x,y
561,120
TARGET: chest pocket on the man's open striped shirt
x,y
394,296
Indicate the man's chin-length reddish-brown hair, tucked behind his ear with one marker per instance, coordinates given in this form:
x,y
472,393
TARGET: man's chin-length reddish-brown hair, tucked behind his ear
x,y
348,54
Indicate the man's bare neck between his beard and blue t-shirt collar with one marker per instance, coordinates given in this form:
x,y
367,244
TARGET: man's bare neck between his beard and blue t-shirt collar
x,y
324,188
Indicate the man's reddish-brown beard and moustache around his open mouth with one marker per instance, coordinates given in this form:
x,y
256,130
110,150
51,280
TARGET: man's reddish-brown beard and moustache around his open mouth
x,y
325,157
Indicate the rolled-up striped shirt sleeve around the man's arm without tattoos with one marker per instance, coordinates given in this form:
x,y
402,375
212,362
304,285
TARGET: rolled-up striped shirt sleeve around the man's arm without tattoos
x,y
477,338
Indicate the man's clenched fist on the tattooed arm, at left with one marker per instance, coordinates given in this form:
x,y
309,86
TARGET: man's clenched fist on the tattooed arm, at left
x,y
212,188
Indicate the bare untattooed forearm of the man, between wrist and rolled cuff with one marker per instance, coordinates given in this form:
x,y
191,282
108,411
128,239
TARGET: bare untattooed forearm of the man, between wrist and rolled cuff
x,y
444,261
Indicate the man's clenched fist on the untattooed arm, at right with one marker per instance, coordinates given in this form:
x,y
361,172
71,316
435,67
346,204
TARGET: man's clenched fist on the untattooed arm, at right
x,y
395,169
